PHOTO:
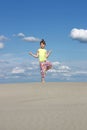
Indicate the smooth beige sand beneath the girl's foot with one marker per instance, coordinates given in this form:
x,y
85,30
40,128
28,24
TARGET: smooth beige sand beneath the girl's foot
x,y
49,106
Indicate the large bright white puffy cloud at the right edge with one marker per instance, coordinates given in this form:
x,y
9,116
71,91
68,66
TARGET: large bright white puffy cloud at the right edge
x,y
79,34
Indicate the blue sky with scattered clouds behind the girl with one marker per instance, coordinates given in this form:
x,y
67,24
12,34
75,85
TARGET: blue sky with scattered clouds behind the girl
x,y
62,24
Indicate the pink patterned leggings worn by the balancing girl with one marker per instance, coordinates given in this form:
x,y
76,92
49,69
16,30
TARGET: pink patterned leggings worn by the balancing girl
x,y
44,66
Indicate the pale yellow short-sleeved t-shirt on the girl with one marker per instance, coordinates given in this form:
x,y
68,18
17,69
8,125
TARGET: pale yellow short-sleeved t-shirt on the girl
x,y
42,54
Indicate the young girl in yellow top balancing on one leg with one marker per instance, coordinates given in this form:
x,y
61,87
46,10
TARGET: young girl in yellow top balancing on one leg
x,y
42,54
